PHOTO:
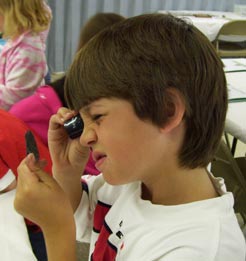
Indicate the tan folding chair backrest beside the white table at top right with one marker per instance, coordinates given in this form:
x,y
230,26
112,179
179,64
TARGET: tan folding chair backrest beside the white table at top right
x,y
231,39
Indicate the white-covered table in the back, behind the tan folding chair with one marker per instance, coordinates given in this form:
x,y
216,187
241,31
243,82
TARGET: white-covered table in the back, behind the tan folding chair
x,y
208,22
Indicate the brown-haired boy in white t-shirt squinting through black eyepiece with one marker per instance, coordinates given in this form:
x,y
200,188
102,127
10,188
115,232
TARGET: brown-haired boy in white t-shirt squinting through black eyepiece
x,y
141,87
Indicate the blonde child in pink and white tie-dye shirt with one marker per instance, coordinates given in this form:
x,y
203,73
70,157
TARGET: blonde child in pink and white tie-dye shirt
x,y
25,25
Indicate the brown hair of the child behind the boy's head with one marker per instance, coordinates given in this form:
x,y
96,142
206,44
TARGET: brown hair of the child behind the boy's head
x,y
95,24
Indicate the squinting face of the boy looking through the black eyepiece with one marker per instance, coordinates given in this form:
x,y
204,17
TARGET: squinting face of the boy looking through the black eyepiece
x,y
125,148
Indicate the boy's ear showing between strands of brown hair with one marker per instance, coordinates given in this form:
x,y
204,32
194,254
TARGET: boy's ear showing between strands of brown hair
x,y
175,110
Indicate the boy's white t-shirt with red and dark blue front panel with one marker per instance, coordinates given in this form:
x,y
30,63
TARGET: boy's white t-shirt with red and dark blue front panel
x,y
125,227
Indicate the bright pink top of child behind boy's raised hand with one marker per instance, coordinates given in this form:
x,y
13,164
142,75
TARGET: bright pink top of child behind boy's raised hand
x,y
36,111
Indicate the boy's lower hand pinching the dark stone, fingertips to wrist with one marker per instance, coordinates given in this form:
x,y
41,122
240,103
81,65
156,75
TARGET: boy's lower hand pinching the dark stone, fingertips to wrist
x,y
40,198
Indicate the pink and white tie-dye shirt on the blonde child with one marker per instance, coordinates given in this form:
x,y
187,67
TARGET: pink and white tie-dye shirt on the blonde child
x,y
22,68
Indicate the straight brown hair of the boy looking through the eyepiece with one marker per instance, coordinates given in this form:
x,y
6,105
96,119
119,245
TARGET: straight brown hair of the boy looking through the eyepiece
x,y
138,60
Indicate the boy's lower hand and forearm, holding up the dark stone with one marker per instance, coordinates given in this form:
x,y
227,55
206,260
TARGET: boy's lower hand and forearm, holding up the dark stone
x,y
40,199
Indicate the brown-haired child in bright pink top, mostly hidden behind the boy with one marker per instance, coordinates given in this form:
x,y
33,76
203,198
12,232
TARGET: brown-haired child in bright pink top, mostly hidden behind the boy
x,y
37,109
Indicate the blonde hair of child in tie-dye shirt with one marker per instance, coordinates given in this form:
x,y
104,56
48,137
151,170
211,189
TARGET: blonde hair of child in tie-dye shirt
x,y
24,15
